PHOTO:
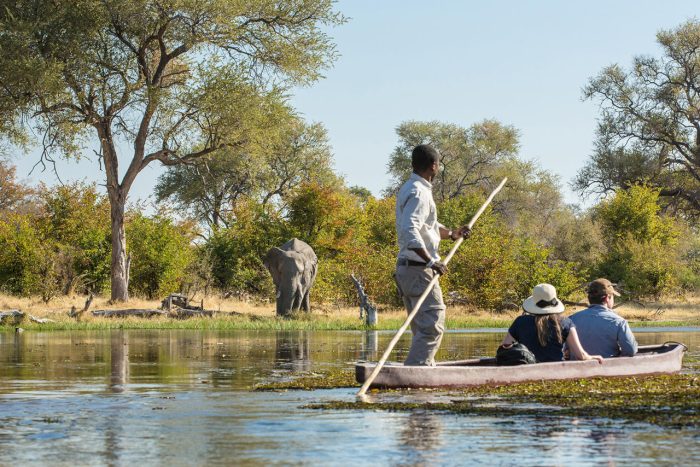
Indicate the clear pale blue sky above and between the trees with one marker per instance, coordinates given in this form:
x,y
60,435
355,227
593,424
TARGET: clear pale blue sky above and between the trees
x,y
523,63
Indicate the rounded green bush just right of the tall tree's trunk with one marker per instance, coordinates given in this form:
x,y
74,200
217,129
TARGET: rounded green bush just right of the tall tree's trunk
x,y
161,253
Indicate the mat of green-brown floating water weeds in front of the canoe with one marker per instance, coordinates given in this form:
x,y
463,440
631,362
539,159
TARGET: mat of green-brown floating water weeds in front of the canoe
x,y
668,400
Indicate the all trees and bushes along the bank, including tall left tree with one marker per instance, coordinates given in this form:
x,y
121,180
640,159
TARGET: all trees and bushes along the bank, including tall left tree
x,y
204,89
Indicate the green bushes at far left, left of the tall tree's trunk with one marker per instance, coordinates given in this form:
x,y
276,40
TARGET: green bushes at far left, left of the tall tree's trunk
x,y
59,245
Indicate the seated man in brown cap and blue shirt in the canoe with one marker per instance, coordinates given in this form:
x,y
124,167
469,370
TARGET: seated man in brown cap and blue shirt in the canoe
x,y
601,330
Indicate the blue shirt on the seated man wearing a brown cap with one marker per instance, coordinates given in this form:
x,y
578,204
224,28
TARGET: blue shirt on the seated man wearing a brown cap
x,y
604,332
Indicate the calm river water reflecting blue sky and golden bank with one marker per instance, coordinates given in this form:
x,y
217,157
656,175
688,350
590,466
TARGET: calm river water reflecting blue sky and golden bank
x,y
184,398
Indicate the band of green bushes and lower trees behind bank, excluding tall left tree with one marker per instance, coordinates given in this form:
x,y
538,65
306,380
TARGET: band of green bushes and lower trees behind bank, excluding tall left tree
x,y
214,225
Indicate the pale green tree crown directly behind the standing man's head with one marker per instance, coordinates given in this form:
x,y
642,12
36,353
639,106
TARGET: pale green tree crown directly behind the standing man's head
x,y
468,155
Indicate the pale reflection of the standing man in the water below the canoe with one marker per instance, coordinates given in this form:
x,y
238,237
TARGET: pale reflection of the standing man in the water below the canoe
x,y
421,438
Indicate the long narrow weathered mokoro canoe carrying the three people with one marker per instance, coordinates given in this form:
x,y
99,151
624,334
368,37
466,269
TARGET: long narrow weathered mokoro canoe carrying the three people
x,y
650,360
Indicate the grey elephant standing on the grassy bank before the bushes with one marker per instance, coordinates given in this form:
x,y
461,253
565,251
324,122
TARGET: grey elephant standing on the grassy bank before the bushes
x,y
293,270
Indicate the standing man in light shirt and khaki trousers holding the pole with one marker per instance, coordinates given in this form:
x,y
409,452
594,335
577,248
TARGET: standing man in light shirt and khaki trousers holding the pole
x,y
419,235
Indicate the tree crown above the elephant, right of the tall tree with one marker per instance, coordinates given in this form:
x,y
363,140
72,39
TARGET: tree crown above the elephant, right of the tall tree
x,y
293,153
